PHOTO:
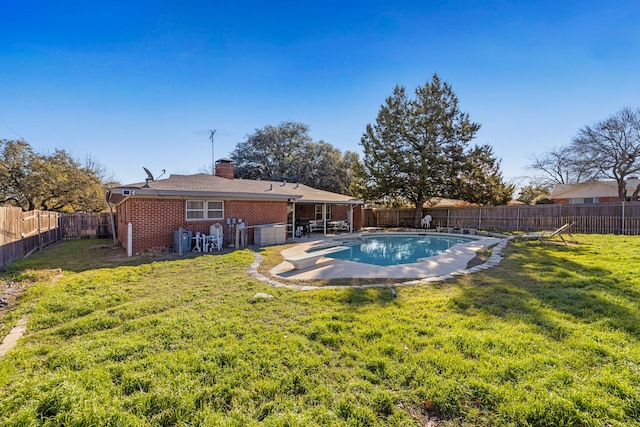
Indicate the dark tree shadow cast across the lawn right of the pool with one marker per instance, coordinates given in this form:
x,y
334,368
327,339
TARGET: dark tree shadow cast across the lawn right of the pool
x,y
532,280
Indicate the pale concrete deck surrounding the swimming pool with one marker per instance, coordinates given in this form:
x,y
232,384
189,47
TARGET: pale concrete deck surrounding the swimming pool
x,y
453,262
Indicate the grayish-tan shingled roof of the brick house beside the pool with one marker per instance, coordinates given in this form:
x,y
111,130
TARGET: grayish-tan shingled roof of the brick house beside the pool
x,y
211,186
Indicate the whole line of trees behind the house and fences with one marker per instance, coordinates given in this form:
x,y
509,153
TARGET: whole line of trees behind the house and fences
x,y
417,151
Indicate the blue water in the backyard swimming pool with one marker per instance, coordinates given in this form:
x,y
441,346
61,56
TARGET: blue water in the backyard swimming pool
x,y
397,249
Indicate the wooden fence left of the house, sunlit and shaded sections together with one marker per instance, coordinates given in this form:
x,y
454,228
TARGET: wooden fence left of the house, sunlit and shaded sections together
x,y
22,233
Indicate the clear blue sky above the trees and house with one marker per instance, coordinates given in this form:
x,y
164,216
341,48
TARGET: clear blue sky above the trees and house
x,y
140,83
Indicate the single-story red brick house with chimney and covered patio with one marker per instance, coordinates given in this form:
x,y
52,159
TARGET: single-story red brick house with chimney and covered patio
x,y
156,209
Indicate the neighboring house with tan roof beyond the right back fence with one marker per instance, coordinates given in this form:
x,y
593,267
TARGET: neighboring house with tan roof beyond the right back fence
x,y
590,192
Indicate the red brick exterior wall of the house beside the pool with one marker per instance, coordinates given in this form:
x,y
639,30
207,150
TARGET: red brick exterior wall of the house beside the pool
x,y
154,220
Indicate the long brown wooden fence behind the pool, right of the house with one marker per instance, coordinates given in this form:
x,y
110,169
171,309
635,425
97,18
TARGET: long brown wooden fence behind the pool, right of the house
x,y
609,218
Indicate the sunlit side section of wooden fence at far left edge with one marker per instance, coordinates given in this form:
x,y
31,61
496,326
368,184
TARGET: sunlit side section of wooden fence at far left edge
x,y
22,233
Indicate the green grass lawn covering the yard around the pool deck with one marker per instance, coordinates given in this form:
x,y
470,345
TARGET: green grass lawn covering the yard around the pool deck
x,y
548,337
